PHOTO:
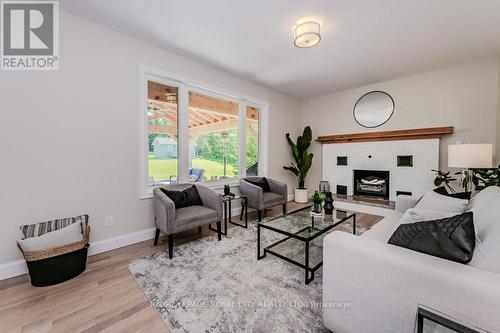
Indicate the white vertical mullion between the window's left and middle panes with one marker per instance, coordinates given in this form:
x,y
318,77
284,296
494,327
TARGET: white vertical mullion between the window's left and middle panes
x,y
182,130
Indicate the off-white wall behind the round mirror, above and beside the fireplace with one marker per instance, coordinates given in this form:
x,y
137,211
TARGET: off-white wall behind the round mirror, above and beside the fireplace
x,y
464,97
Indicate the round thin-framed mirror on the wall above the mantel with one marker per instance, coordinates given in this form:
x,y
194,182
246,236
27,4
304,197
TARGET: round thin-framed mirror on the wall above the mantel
x,y
373,109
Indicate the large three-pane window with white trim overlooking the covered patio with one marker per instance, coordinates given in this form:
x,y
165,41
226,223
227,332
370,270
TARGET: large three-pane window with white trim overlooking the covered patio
x,y
195,134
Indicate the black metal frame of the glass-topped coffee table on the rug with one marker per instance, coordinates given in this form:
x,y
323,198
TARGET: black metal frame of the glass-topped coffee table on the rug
x,y
309,271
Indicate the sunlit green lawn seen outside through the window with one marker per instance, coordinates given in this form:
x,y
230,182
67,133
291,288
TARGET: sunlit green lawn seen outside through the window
x,y
162,169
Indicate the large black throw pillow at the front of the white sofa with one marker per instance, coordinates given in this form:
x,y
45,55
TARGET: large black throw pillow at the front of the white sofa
x,y
451,238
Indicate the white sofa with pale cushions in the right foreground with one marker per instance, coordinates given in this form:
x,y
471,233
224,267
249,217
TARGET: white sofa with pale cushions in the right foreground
x,y
383,284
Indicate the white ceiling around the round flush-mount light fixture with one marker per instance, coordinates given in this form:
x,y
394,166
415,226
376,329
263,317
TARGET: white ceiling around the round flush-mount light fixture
x,y
364,41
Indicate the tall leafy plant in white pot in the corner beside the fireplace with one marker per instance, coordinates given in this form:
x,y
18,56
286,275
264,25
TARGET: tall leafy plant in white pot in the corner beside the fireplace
x,y
303,161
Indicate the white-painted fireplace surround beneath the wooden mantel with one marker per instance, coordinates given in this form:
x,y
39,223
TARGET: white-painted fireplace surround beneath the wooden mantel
x,y
382,155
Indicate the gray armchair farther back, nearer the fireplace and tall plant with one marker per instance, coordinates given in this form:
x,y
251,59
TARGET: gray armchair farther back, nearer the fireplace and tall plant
x,y
260,200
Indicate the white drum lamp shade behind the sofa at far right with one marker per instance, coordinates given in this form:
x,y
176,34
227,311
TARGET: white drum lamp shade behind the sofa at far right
x,y
470,156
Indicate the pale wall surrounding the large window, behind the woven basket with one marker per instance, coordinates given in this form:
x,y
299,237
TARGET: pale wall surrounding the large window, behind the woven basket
x,y
69,139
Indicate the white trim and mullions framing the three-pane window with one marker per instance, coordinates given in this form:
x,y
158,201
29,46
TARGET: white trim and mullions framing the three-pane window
x,y
185,85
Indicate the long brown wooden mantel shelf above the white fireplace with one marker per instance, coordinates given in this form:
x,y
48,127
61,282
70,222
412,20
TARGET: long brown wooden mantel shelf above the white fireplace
x,y
408,134
